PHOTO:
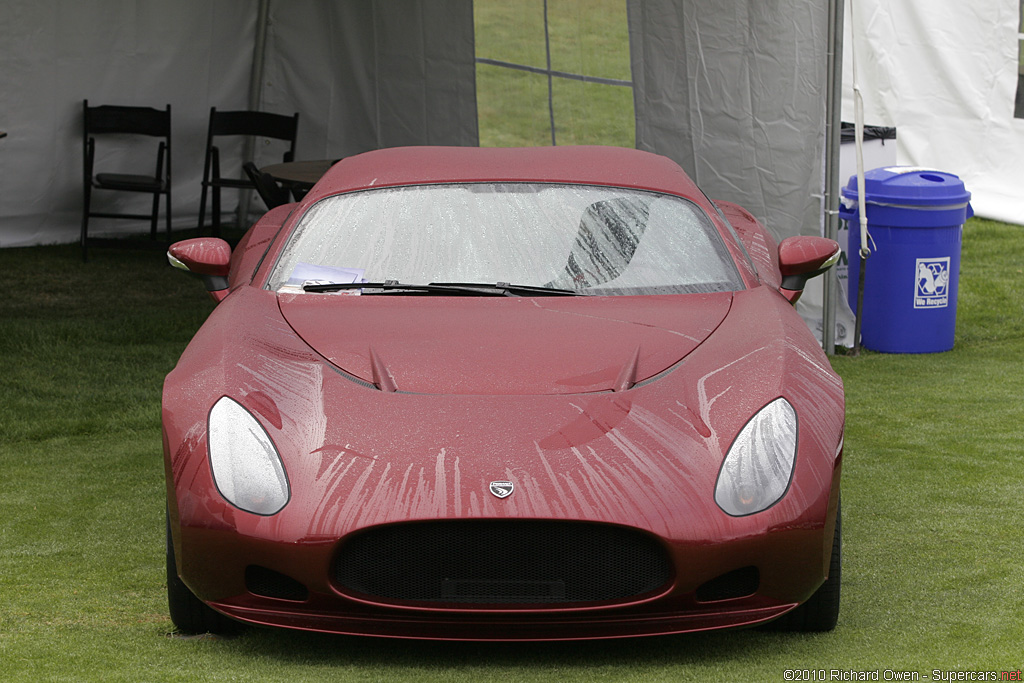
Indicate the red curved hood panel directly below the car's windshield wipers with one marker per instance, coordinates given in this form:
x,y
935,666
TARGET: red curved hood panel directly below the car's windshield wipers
x,y
508,346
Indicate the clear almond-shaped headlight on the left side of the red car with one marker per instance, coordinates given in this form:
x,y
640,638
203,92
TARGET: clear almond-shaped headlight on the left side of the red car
x,y
246,466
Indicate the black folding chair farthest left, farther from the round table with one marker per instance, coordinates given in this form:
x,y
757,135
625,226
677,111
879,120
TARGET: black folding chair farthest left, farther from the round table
x,y
110,121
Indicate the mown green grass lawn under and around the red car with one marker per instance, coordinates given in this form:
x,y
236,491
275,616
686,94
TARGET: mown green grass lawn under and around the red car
x,y
932,488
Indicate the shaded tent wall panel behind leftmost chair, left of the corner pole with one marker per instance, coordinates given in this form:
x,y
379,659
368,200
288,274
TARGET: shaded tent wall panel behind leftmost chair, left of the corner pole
x,y
191,54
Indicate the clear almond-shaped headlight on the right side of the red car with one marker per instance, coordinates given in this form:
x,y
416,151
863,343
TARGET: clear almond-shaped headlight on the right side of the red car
x,y
757,471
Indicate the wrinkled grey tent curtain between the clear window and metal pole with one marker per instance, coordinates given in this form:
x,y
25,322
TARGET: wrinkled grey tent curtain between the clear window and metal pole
x,y
737,97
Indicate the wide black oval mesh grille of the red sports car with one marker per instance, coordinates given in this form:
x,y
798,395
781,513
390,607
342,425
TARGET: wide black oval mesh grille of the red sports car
x,y
502,562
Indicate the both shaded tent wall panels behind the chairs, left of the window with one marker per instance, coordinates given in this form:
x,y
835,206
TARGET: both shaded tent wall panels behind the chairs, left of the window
x,y
356,71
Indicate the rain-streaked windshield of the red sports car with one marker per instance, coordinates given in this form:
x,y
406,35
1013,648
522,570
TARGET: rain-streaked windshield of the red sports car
x,y
589,240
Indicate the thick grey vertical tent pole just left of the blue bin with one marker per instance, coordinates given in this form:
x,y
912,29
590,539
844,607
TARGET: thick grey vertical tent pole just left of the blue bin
x,y
834,101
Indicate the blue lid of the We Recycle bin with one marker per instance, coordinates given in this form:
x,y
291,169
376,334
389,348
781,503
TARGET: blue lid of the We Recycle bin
x,y
910,186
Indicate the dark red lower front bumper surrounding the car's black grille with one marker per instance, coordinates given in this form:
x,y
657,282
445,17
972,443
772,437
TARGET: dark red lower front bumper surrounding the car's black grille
x,y
791,561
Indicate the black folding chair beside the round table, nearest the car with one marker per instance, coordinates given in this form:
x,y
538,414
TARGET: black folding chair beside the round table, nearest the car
x,y
260,124
